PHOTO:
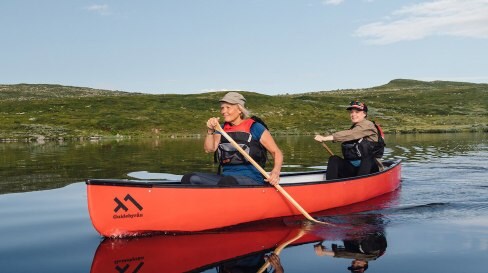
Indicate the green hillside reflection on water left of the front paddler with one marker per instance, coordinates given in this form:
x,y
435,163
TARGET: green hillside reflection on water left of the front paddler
x,y
32,166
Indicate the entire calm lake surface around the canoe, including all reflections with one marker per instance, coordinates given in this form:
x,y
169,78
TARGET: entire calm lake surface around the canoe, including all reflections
x,y
436,222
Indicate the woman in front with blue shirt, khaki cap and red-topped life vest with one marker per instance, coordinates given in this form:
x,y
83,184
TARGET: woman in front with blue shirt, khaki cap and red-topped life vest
x,y
251,134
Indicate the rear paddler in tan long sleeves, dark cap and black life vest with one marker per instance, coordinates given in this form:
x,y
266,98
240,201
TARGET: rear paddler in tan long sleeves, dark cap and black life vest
x,y
360,145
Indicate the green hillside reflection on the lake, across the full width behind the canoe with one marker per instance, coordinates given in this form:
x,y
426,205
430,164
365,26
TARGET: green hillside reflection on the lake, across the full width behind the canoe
x,y
34,166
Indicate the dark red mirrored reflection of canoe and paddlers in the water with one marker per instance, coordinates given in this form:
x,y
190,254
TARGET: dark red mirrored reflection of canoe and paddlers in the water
x,y
253,247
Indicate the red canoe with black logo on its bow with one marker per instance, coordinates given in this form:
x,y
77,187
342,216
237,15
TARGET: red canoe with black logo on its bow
x,y
128,207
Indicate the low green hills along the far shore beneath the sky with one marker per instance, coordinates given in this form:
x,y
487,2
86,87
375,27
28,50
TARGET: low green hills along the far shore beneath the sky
x,y
43,112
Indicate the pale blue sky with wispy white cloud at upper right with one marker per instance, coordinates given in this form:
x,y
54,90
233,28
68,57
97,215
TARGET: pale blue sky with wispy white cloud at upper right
x,y
265,46
